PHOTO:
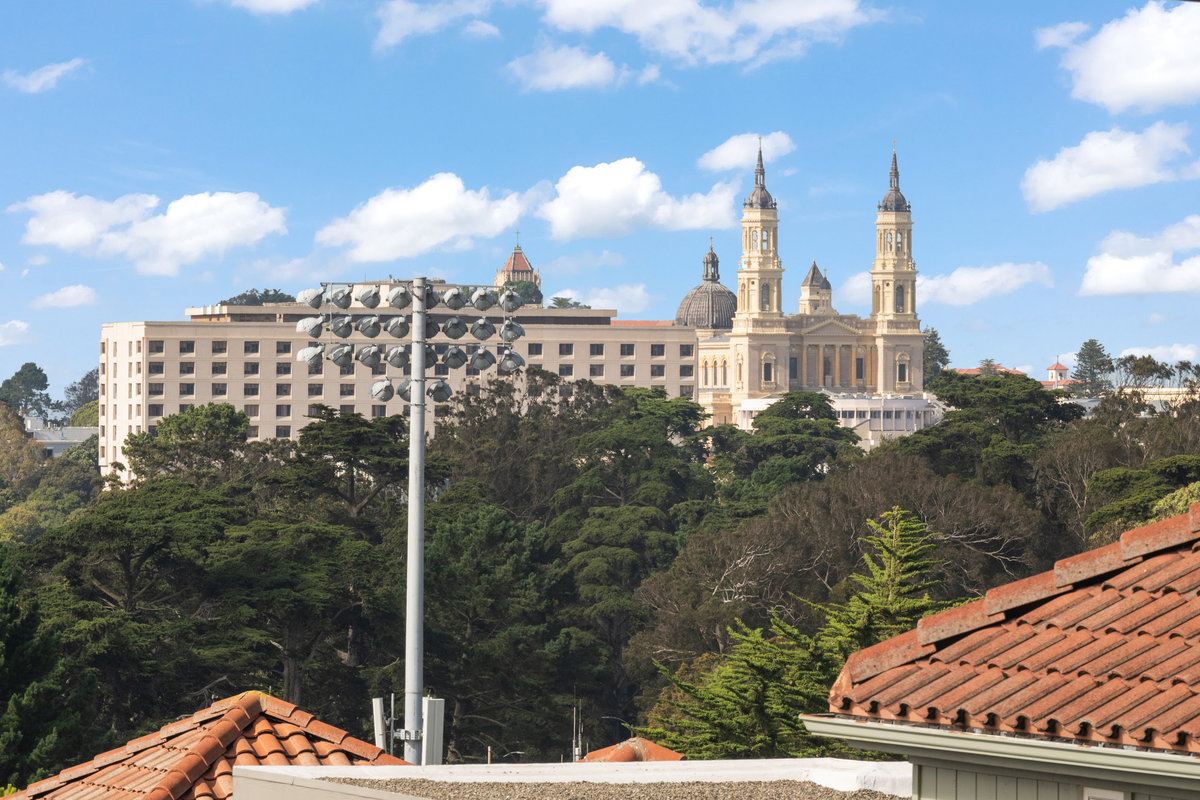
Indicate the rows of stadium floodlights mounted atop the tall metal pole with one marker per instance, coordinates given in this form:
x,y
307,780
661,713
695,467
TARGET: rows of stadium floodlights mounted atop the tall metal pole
x,y
399,327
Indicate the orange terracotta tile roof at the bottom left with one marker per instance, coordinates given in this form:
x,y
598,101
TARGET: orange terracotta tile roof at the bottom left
x,y
194,757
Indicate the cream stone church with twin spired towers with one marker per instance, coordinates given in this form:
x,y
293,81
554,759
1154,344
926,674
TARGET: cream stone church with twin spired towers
x,y
867,365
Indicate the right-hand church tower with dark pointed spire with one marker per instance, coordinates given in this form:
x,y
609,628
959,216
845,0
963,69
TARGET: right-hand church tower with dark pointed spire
x,y
893,274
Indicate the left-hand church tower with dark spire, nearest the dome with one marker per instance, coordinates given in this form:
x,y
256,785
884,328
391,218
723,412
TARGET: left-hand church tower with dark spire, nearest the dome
x,y
760,274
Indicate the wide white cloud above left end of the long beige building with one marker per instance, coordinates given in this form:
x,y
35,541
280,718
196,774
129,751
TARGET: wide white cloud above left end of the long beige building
x,y
193,228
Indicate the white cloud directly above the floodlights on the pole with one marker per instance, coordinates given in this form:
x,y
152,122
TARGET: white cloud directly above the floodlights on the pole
x,y
407,222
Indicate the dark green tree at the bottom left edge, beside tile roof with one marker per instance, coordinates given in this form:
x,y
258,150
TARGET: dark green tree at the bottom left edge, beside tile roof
x,y
39,714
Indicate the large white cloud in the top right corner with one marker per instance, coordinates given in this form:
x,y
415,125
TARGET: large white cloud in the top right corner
x,y
1145,61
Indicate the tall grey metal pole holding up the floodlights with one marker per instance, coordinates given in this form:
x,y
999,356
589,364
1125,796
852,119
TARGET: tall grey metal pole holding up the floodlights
x,y
415,616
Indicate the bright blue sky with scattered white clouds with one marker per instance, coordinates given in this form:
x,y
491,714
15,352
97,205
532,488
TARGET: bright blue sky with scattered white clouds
x,y
165,155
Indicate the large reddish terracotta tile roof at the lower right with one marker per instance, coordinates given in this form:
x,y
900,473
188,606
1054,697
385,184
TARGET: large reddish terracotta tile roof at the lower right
x,y
1103,649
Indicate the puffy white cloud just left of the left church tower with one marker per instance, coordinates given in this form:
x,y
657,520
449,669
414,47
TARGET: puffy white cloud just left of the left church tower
x,y
611,200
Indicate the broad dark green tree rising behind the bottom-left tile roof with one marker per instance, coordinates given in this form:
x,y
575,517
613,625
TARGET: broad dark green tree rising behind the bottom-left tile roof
x,y
124,585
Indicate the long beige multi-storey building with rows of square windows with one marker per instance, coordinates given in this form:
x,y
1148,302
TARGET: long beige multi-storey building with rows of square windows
x,y
247,356
